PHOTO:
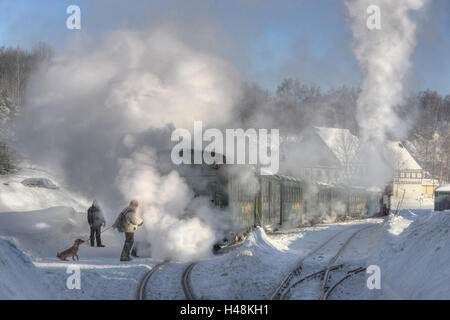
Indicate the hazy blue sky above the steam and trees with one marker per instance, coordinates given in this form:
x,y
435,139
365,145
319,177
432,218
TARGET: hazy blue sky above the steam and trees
x,y
267,40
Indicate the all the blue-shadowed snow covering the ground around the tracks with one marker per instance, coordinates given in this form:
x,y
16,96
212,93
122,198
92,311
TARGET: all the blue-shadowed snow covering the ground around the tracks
x,y
411,250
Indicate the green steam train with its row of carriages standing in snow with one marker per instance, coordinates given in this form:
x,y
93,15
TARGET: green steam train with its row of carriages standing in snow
x,y
272,201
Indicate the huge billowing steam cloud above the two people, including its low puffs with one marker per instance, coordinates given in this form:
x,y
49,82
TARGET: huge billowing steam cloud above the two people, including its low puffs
x,y
99,117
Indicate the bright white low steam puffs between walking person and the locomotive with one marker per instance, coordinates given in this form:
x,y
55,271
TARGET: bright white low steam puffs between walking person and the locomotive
x,y
176,225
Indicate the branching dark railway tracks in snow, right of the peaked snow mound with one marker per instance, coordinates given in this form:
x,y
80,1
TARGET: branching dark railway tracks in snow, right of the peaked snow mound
x,y
287,284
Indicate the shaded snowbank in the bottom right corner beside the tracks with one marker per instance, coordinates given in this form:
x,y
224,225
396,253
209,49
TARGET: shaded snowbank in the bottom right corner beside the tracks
x,y
414,255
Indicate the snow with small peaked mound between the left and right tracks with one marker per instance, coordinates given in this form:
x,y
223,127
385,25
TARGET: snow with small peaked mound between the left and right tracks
x,y
254,270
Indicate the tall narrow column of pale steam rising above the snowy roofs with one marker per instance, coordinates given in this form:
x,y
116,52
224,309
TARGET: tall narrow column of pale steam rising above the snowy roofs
x,y
384,56
